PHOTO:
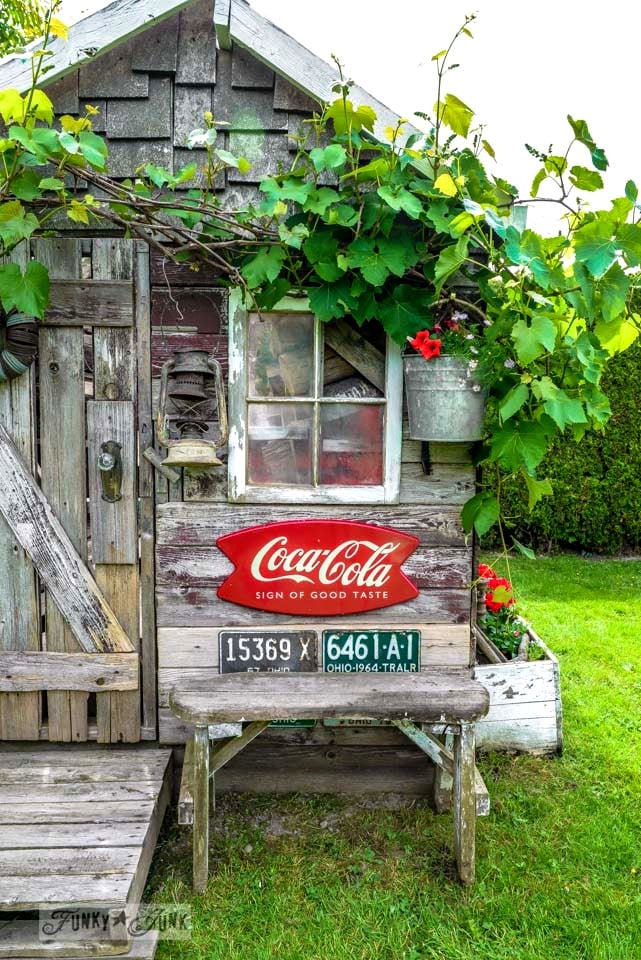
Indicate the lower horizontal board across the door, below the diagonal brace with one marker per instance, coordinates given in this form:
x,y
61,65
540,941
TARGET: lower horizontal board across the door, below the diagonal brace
x,y
33,670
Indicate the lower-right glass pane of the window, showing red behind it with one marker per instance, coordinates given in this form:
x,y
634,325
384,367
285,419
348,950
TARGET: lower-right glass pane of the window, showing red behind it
x,y
351,450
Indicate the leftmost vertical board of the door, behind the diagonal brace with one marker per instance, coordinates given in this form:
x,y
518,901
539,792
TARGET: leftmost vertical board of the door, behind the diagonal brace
x,y
19,596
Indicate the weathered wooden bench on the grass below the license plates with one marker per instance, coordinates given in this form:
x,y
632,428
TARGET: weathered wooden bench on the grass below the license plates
x,y
447,697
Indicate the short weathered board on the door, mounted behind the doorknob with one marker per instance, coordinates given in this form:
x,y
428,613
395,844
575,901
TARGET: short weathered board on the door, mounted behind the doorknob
x,y
113,525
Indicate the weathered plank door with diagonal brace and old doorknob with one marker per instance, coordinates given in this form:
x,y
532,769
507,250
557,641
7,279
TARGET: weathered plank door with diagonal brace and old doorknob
x,y
73,629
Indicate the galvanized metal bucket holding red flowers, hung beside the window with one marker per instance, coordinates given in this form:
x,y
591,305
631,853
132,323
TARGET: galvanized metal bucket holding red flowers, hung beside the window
x,y
444,400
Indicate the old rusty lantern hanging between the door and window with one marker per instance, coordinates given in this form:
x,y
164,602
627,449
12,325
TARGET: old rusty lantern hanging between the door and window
x,y
191,397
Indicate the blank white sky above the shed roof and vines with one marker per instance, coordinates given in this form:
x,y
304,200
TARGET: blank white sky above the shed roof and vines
x,y
528,66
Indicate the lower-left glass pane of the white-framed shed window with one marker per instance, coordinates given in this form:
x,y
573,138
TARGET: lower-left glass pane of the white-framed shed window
x,y
279,443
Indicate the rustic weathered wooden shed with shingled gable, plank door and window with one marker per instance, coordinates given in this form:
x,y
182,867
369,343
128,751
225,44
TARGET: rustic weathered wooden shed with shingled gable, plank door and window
x,y
119,603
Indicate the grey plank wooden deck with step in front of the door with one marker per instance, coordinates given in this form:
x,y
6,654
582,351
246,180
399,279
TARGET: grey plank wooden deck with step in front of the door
x,y
77,827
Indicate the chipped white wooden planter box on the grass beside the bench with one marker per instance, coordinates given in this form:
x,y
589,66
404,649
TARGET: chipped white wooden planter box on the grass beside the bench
x,y
525,713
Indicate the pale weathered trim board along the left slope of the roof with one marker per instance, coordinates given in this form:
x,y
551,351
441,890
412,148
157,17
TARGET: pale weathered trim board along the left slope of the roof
x,y
101,31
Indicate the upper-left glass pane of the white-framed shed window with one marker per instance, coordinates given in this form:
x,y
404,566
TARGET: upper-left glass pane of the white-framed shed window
x,y
281,355
